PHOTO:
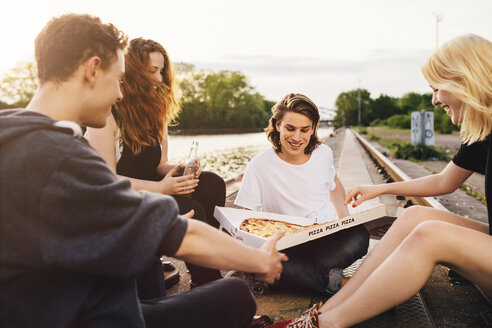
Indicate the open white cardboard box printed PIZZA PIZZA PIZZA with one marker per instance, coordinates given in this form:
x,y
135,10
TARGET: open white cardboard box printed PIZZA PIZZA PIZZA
x,y
230,219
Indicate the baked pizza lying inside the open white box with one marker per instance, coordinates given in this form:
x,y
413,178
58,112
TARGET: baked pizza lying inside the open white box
x,y
266,228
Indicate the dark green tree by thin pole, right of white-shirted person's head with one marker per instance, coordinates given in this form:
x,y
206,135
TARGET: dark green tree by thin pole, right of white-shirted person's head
x,y
347,108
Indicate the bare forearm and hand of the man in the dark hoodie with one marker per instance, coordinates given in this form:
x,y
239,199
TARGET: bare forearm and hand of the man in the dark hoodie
x,y
206,246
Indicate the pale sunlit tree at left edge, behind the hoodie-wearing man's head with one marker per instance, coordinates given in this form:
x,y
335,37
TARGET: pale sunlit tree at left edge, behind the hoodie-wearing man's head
x,y
18,85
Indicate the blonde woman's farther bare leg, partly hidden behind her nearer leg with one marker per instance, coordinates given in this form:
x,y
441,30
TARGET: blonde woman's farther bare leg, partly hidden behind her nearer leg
x,y
400,229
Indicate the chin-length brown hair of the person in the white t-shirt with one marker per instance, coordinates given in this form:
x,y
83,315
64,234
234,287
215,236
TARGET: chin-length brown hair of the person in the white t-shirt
x,y
296,103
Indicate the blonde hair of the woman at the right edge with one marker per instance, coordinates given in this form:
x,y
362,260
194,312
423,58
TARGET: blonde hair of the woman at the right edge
x,y
463,67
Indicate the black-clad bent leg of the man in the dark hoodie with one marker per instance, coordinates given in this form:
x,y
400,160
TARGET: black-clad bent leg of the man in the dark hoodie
x,y
225,303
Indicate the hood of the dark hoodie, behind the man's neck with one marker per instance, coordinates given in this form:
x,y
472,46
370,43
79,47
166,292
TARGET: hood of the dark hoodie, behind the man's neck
x,y
15,124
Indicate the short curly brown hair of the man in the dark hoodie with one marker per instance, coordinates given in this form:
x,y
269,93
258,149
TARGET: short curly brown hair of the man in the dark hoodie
x,y
69,40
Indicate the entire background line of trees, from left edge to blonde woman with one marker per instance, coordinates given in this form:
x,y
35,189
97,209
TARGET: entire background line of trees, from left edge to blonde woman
x,y
226,100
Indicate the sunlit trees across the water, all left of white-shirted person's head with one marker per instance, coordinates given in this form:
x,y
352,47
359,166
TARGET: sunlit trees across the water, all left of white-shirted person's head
x,y
210,100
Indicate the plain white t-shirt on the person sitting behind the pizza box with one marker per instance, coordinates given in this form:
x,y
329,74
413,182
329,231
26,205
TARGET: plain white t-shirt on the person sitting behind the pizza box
x,y
270,184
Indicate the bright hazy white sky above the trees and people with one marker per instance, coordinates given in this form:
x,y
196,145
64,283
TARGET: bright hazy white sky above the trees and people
x,y
318,48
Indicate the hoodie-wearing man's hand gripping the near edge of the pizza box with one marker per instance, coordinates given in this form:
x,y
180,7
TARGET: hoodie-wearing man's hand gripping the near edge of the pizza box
x,y
274,259
